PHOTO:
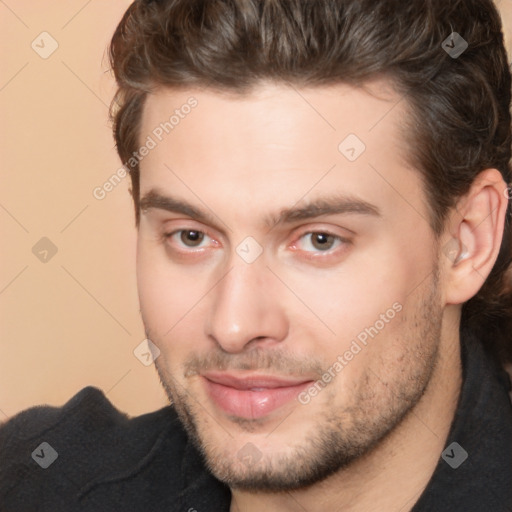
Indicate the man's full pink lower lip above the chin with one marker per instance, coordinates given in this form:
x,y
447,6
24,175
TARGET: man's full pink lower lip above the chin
x,y
251,404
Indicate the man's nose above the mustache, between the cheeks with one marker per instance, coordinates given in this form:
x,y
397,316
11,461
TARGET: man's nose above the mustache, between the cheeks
x,y
246,309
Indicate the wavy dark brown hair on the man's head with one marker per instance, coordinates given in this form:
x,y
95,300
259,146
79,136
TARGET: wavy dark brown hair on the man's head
x,y
460,121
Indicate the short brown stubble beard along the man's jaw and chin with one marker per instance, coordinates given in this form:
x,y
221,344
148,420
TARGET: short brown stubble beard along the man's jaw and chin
x,y
339,436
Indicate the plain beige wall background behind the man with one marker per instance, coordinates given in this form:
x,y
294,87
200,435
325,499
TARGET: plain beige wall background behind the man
x,y
73,320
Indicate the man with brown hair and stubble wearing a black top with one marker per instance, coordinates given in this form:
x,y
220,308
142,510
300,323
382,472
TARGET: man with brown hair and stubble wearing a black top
x,y
324,254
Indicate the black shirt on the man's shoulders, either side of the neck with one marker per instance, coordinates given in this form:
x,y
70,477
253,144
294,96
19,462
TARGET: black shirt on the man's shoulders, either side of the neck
x,y
99,459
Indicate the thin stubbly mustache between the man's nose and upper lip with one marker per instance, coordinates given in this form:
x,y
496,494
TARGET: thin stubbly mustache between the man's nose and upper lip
x,y
274,361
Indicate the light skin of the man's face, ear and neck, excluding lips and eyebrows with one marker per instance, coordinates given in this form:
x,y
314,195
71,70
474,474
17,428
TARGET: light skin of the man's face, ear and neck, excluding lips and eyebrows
x,y
370,438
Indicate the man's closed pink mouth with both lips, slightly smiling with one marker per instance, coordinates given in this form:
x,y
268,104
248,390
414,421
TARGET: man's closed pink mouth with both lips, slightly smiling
x,y
251,396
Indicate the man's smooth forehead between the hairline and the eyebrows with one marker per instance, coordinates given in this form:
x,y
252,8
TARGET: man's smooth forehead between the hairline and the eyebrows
x,y
277,144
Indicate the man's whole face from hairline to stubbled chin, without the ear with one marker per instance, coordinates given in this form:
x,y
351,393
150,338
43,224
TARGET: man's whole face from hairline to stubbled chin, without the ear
x,y
289,348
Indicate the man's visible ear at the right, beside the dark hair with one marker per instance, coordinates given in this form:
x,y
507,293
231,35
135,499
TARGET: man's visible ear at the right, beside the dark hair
x,y
473,236
